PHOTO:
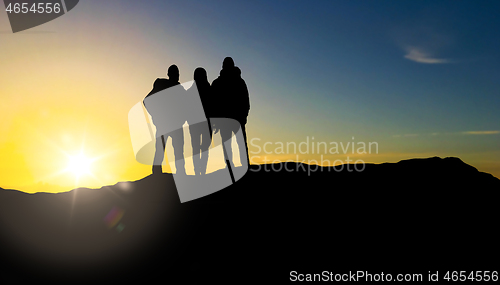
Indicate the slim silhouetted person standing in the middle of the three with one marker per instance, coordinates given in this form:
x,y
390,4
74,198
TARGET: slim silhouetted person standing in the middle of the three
x,y
201,133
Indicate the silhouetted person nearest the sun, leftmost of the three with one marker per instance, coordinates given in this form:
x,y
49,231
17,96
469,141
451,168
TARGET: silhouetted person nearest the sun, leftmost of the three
x,y
158,116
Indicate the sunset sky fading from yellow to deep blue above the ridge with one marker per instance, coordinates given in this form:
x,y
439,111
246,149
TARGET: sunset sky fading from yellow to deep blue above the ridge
x,y
419,78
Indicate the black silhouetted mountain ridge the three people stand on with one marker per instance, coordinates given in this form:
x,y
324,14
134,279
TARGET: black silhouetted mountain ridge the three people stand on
x,y
270,222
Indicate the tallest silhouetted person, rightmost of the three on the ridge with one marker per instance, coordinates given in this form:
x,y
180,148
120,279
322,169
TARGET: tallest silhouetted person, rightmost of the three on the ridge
x,y
231,101
